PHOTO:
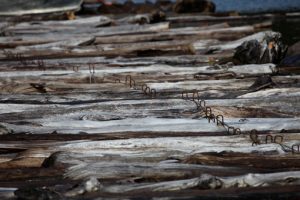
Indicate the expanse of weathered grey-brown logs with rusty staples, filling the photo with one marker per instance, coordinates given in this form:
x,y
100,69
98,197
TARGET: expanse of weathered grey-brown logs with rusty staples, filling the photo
x,y
99,108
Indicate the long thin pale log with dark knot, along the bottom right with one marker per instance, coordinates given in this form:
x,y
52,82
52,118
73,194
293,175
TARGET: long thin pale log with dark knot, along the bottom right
x,y
209,182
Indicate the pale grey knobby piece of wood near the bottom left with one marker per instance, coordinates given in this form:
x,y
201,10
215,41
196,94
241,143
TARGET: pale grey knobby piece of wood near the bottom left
x,y
90,185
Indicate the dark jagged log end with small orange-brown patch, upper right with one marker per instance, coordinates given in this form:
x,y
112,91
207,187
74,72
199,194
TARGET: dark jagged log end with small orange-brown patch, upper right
x,y
269,50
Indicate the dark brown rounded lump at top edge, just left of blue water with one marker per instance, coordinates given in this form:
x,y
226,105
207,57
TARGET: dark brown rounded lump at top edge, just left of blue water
x,y
192,6
